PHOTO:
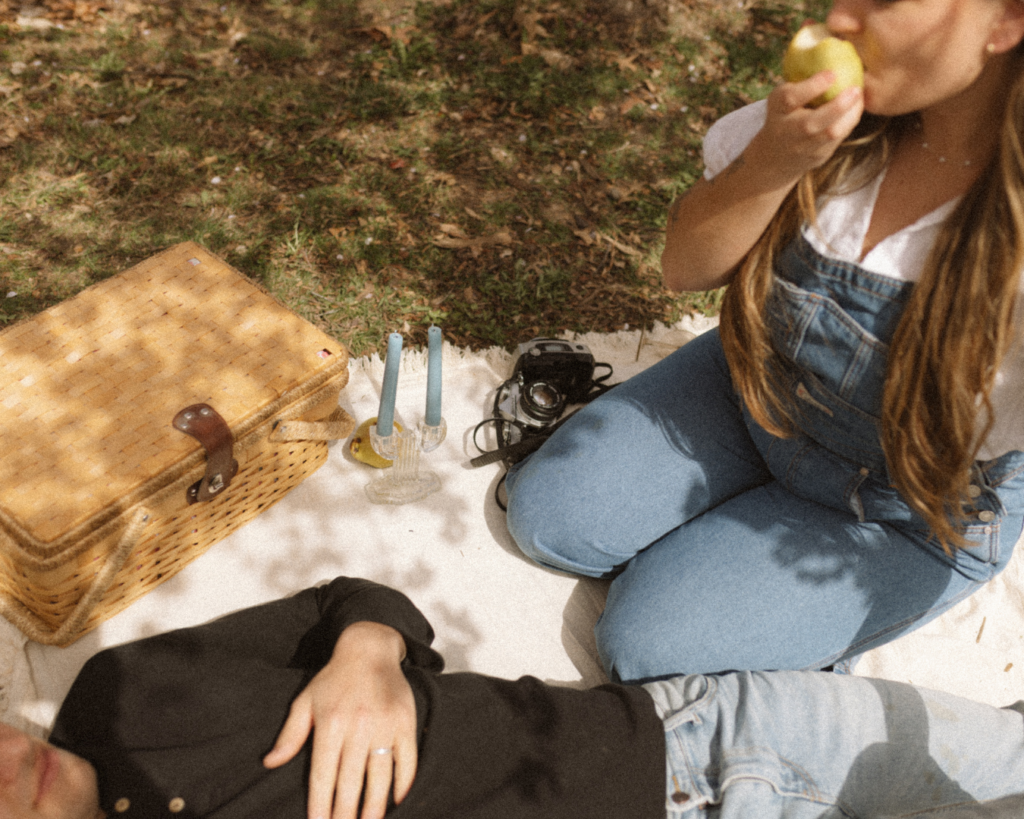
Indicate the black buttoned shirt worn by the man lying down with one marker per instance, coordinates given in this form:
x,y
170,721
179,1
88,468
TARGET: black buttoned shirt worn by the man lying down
x,y
178,724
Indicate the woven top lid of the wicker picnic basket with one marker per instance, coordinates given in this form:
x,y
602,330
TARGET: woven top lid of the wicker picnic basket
x,y
89,389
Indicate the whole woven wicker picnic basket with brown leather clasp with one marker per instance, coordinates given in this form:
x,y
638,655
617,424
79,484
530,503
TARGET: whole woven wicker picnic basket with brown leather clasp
x,y
144,421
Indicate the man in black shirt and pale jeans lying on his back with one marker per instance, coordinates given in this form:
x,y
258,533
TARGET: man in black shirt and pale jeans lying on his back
x,y
331,704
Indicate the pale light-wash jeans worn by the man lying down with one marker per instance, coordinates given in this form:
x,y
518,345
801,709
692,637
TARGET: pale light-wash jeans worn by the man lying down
x,y
807,746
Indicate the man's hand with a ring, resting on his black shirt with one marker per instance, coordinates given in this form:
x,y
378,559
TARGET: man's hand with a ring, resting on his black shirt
x,y
363,715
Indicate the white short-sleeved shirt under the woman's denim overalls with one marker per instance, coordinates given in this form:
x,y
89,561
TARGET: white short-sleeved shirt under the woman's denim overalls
x,y
843,224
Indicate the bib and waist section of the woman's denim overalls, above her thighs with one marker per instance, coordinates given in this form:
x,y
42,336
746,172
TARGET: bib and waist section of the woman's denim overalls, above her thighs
x,y
832,324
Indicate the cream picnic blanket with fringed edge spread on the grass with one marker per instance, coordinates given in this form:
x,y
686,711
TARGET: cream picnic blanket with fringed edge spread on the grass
x,y
493,611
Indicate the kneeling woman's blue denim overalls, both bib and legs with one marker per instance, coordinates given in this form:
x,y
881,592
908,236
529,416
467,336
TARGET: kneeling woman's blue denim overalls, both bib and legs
x,y
734,550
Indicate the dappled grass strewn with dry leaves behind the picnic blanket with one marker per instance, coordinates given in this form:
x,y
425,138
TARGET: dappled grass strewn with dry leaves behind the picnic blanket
x,y
500,168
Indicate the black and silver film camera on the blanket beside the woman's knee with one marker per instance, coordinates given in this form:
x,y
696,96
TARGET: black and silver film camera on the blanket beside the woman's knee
x,y
549,375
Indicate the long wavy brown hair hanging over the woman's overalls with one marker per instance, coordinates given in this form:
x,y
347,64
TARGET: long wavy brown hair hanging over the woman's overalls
x,y
952,337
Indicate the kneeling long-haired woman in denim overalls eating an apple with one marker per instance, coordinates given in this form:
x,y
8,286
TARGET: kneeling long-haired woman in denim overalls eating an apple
x,y
843,461
